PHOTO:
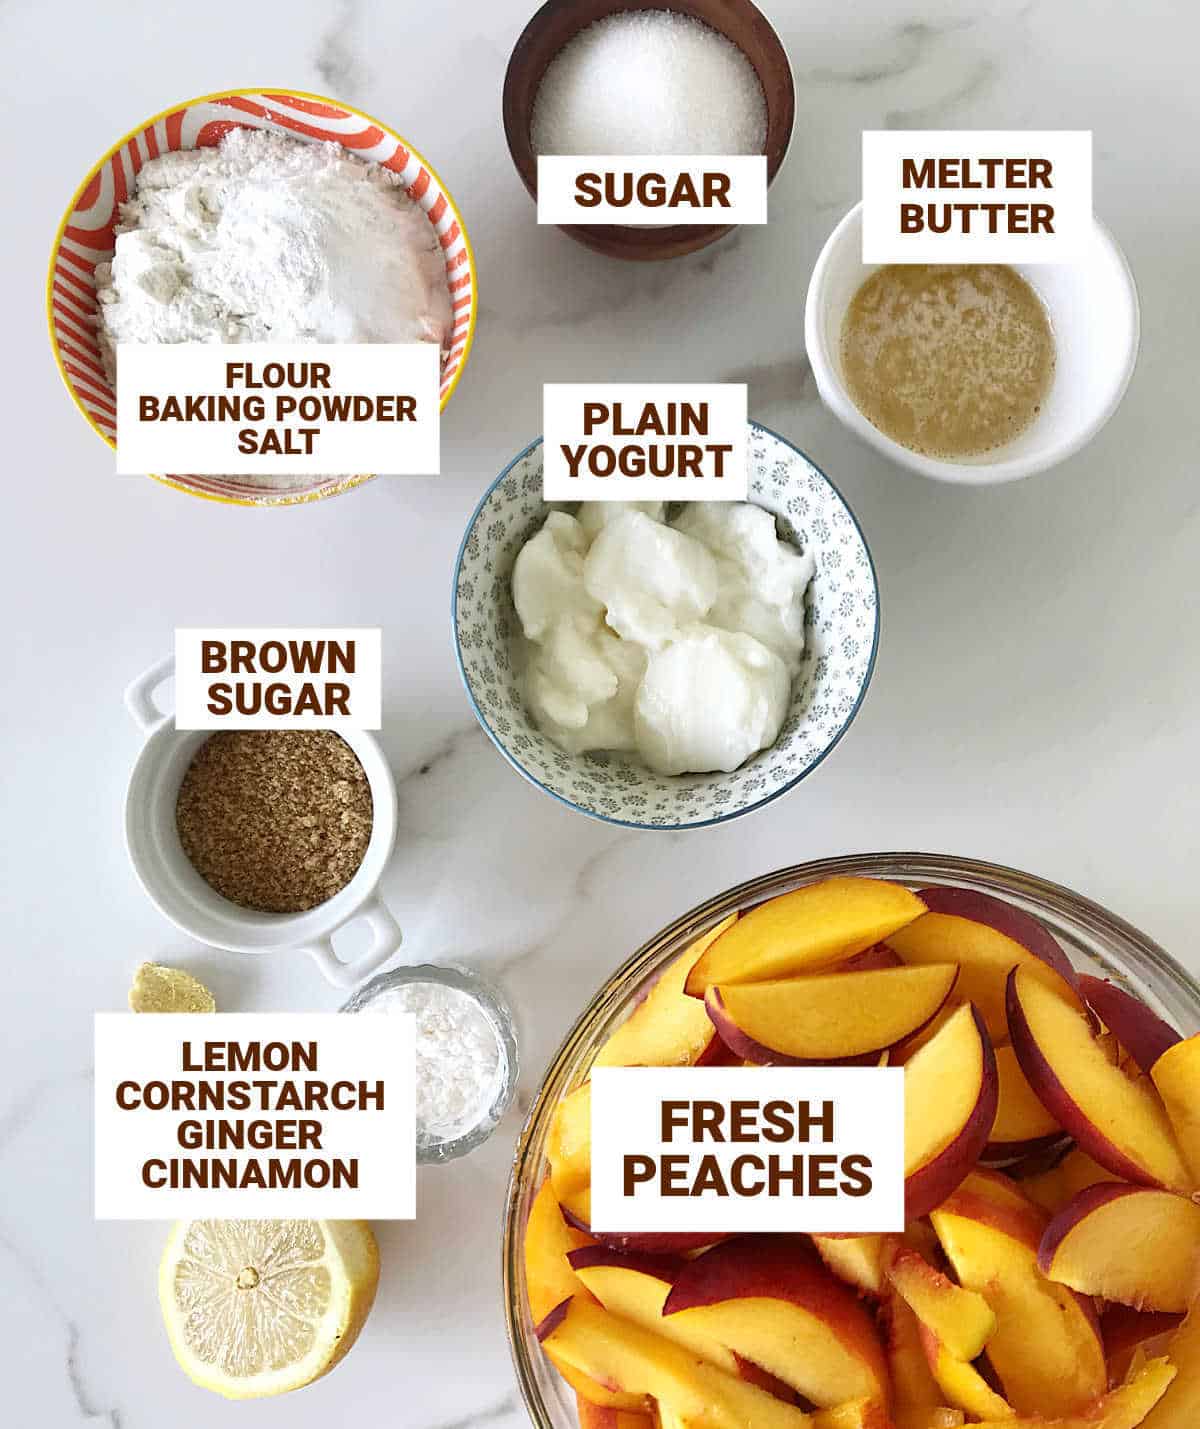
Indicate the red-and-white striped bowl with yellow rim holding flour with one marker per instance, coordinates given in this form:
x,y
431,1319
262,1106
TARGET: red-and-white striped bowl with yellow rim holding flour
x,y
85,239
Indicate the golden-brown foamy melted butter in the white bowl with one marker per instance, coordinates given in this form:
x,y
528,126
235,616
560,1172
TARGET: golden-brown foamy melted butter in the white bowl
x,y
948,361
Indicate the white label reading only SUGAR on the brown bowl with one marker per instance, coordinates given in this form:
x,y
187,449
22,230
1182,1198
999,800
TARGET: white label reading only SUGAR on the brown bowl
x,y
652,189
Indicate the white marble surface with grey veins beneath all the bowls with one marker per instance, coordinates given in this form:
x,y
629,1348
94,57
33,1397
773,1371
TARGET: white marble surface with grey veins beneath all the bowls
x,y
1036,691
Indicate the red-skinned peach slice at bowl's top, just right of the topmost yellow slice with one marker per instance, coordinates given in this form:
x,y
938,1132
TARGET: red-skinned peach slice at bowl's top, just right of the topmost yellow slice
x,y
985,945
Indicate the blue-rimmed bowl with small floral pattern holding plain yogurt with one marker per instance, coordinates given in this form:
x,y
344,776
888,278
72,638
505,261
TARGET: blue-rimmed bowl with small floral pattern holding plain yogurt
x,y
842,622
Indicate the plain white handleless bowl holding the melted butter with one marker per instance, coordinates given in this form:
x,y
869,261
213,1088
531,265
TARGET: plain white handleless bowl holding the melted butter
x,y
1095,317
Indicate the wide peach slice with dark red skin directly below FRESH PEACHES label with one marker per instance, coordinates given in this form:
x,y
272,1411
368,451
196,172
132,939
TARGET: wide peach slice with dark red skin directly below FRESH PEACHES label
x,y
771,1300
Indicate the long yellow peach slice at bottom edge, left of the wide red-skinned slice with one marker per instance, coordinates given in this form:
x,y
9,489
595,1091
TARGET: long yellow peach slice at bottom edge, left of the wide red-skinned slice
x,y
618,1353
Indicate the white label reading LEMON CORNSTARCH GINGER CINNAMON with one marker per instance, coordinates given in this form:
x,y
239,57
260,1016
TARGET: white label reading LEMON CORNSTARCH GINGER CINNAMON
x,y
328,1098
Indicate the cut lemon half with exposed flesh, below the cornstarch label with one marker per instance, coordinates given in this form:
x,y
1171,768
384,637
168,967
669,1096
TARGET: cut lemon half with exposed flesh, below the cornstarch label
x,y
259,1308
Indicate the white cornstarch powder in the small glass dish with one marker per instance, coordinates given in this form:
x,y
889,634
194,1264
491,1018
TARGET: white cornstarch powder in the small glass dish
x,y
461,1062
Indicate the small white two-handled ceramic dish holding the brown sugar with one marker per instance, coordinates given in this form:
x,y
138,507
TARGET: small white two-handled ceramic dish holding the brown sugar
x,y
195,907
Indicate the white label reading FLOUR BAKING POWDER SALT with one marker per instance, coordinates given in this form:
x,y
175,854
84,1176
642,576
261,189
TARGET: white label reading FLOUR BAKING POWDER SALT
x,y
275,409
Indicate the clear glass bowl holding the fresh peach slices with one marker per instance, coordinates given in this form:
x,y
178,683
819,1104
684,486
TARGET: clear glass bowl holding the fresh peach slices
x,y
1098,942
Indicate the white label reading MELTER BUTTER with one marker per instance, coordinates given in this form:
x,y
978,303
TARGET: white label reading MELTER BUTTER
x,y
976,196
